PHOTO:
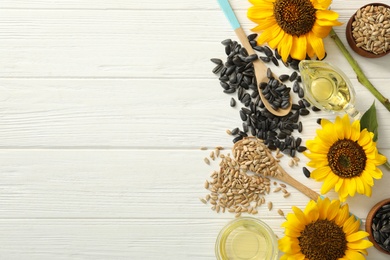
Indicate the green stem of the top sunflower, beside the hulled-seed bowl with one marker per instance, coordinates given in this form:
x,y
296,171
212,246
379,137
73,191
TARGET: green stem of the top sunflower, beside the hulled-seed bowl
x,y
360,75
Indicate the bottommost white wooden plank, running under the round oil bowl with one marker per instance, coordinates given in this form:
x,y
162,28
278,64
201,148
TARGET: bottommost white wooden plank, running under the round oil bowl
x,y
117,239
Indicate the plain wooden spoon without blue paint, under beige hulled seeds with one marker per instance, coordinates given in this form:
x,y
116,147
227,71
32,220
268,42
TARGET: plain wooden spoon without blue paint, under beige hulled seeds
x,y
283,175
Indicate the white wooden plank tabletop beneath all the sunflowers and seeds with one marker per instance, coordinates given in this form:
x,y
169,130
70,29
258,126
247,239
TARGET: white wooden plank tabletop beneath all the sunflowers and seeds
x,y
103,108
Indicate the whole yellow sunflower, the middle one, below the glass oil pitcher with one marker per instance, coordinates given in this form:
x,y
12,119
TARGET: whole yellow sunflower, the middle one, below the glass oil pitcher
x,y
345,158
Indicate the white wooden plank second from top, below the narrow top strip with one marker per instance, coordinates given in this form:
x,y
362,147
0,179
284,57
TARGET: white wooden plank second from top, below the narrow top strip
x,y
106,44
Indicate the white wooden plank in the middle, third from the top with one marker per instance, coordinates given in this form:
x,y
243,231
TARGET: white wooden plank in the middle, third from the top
x,y
132,113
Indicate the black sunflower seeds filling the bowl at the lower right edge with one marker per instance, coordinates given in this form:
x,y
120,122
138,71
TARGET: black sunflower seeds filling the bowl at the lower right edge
x,y
381,227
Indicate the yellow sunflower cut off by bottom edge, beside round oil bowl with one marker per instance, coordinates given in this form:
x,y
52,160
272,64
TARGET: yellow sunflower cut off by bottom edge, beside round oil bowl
x,y
324,230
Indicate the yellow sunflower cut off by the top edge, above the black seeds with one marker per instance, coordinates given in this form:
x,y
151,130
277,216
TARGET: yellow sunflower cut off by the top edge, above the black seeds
x,y
293,27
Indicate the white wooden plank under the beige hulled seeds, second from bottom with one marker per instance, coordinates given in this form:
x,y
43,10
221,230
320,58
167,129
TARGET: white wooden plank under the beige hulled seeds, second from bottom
x,y
140,184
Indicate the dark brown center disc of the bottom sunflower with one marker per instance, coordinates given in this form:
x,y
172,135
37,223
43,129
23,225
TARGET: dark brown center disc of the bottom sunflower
x,y
323,239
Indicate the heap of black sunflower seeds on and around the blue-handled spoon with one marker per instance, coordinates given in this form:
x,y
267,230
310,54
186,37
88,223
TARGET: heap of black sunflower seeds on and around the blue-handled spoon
x,y
236,75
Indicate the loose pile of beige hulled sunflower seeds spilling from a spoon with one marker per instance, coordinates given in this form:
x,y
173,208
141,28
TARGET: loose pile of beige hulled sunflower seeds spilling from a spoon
x,y
233,189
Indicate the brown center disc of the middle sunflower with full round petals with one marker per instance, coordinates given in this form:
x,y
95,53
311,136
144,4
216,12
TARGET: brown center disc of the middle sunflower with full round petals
x,y
347,158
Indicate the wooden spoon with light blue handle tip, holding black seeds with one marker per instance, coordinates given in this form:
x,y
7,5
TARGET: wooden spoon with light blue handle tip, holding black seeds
x,y
259,66
